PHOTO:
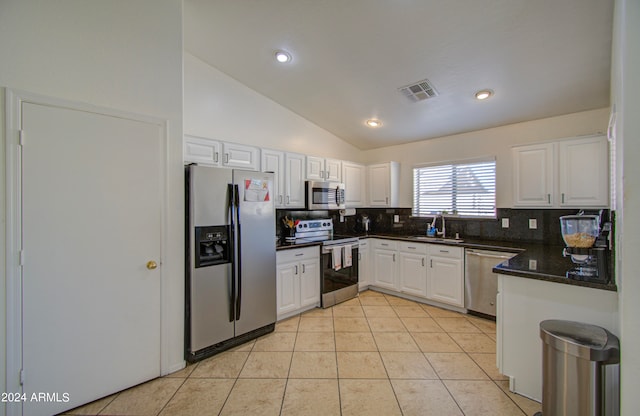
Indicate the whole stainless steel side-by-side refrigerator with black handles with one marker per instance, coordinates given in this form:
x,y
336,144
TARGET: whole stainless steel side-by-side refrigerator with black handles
x,y
230,259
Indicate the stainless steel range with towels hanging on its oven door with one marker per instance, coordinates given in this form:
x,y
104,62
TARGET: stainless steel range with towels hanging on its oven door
x,y
339,260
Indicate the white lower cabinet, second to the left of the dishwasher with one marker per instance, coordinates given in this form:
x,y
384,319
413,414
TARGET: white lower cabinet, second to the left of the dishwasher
x,y
413,270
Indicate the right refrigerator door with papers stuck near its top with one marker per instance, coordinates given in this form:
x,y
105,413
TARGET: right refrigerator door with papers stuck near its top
x,y
257,251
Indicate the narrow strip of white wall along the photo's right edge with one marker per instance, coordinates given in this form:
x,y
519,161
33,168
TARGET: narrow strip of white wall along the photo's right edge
x,y
625,93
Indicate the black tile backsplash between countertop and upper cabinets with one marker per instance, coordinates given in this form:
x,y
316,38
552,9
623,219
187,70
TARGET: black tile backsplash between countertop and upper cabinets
x,y
382,222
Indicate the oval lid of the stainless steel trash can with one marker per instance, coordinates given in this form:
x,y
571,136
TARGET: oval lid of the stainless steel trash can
x,y
582,340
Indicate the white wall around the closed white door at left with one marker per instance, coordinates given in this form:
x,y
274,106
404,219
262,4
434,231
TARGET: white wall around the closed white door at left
x,y
125,55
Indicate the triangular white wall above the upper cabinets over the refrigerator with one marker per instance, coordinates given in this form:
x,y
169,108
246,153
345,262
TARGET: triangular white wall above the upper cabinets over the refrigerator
x,y
218,107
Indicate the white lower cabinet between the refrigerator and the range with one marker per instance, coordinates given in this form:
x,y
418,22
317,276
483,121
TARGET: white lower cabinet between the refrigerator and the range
x,y
297,280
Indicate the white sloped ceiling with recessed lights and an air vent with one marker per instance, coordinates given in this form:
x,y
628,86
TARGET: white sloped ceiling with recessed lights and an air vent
x,y
541,57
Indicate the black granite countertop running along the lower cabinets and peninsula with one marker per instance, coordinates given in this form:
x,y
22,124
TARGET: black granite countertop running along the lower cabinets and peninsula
x,y
533,261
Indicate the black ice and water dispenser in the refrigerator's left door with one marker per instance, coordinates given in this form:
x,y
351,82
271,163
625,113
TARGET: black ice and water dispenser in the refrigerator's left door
x,y
213,245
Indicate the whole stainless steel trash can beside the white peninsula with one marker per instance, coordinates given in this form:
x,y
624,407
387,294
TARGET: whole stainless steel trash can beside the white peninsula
x,y
580,369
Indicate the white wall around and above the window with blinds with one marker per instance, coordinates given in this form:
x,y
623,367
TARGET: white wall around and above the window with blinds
x,y
490,142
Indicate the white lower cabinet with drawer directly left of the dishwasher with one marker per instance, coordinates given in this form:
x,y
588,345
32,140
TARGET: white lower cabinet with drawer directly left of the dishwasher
x,y
445,277
